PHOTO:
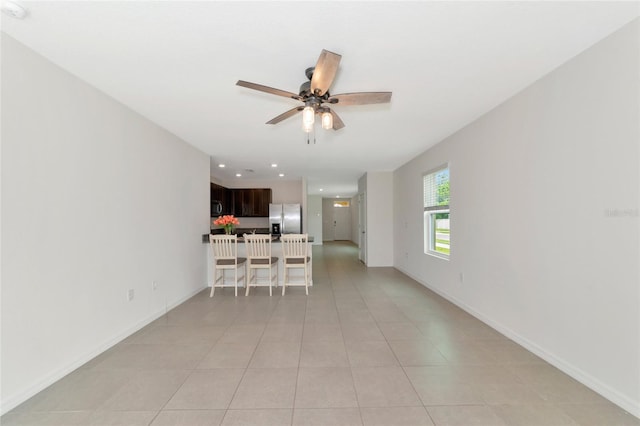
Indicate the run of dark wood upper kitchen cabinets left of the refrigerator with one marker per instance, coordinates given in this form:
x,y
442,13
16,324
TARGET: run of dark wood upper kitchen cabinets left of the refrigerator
x,y
241,202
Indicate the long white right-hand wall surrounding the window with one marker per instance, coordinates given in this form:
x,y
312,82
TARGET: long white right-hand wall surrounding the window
x,y
544,218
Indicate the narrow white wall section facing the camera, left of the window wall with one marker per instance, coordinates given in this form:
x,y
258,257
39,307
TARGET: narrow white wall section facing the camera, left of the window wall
x,y
380,226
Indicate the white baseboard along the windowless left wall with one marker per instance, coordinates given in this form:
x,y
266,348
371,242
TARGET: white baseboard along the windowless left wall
x,y
12,401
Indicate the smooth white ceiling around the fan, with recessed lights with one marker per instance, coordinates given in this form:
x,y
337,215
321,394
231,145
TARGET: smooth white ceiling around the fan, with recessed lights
x,y
447,63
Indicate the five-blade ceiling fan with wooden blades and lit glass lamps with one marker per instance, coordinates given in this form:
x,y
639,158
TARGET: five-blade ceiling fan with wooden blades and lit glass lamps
x,y
316,97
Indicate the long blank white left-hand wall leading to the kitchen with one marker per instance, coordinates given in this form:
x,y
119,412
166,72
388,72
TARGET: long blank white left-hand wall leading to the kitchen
x,y
96,200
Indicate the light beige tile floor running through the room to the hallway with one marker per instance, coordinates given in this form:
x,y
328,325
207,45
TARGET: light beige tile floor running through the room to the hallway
x,y
366,347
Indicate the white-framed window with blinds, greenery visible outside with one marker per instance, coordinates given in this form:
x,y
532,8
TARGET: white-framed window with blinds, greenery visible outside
x,y
436,212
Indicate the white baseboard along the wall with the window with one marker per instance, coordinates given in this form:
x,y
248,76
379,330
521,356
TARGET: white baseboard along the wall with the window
x,y
623,401
